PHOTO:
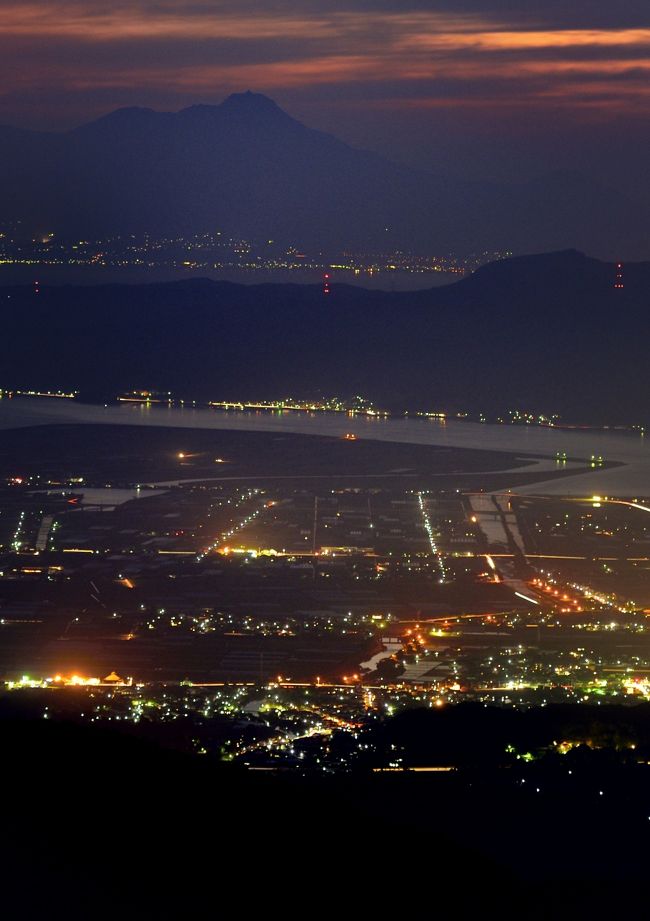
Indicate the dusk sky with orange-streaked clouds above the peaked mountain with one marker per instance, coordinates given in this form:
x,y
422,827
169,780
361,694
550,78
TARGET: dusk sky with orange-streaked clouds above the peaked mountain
x,y
478,88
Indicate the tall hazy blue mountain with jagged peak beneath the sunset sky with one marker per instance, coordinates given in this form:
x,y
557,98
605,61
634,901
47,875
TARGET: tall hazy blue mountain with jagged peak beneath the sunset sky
x,y
248,168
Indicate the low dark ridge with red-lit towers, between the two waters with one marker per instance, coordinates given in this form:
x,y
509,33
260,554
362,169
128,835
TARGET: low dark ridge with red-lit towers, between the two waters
x,y
548,333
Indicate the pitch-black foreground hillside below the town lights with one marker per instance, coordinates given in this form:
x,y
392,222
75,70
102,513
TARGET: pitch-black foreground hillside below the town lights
x,y
103,824
